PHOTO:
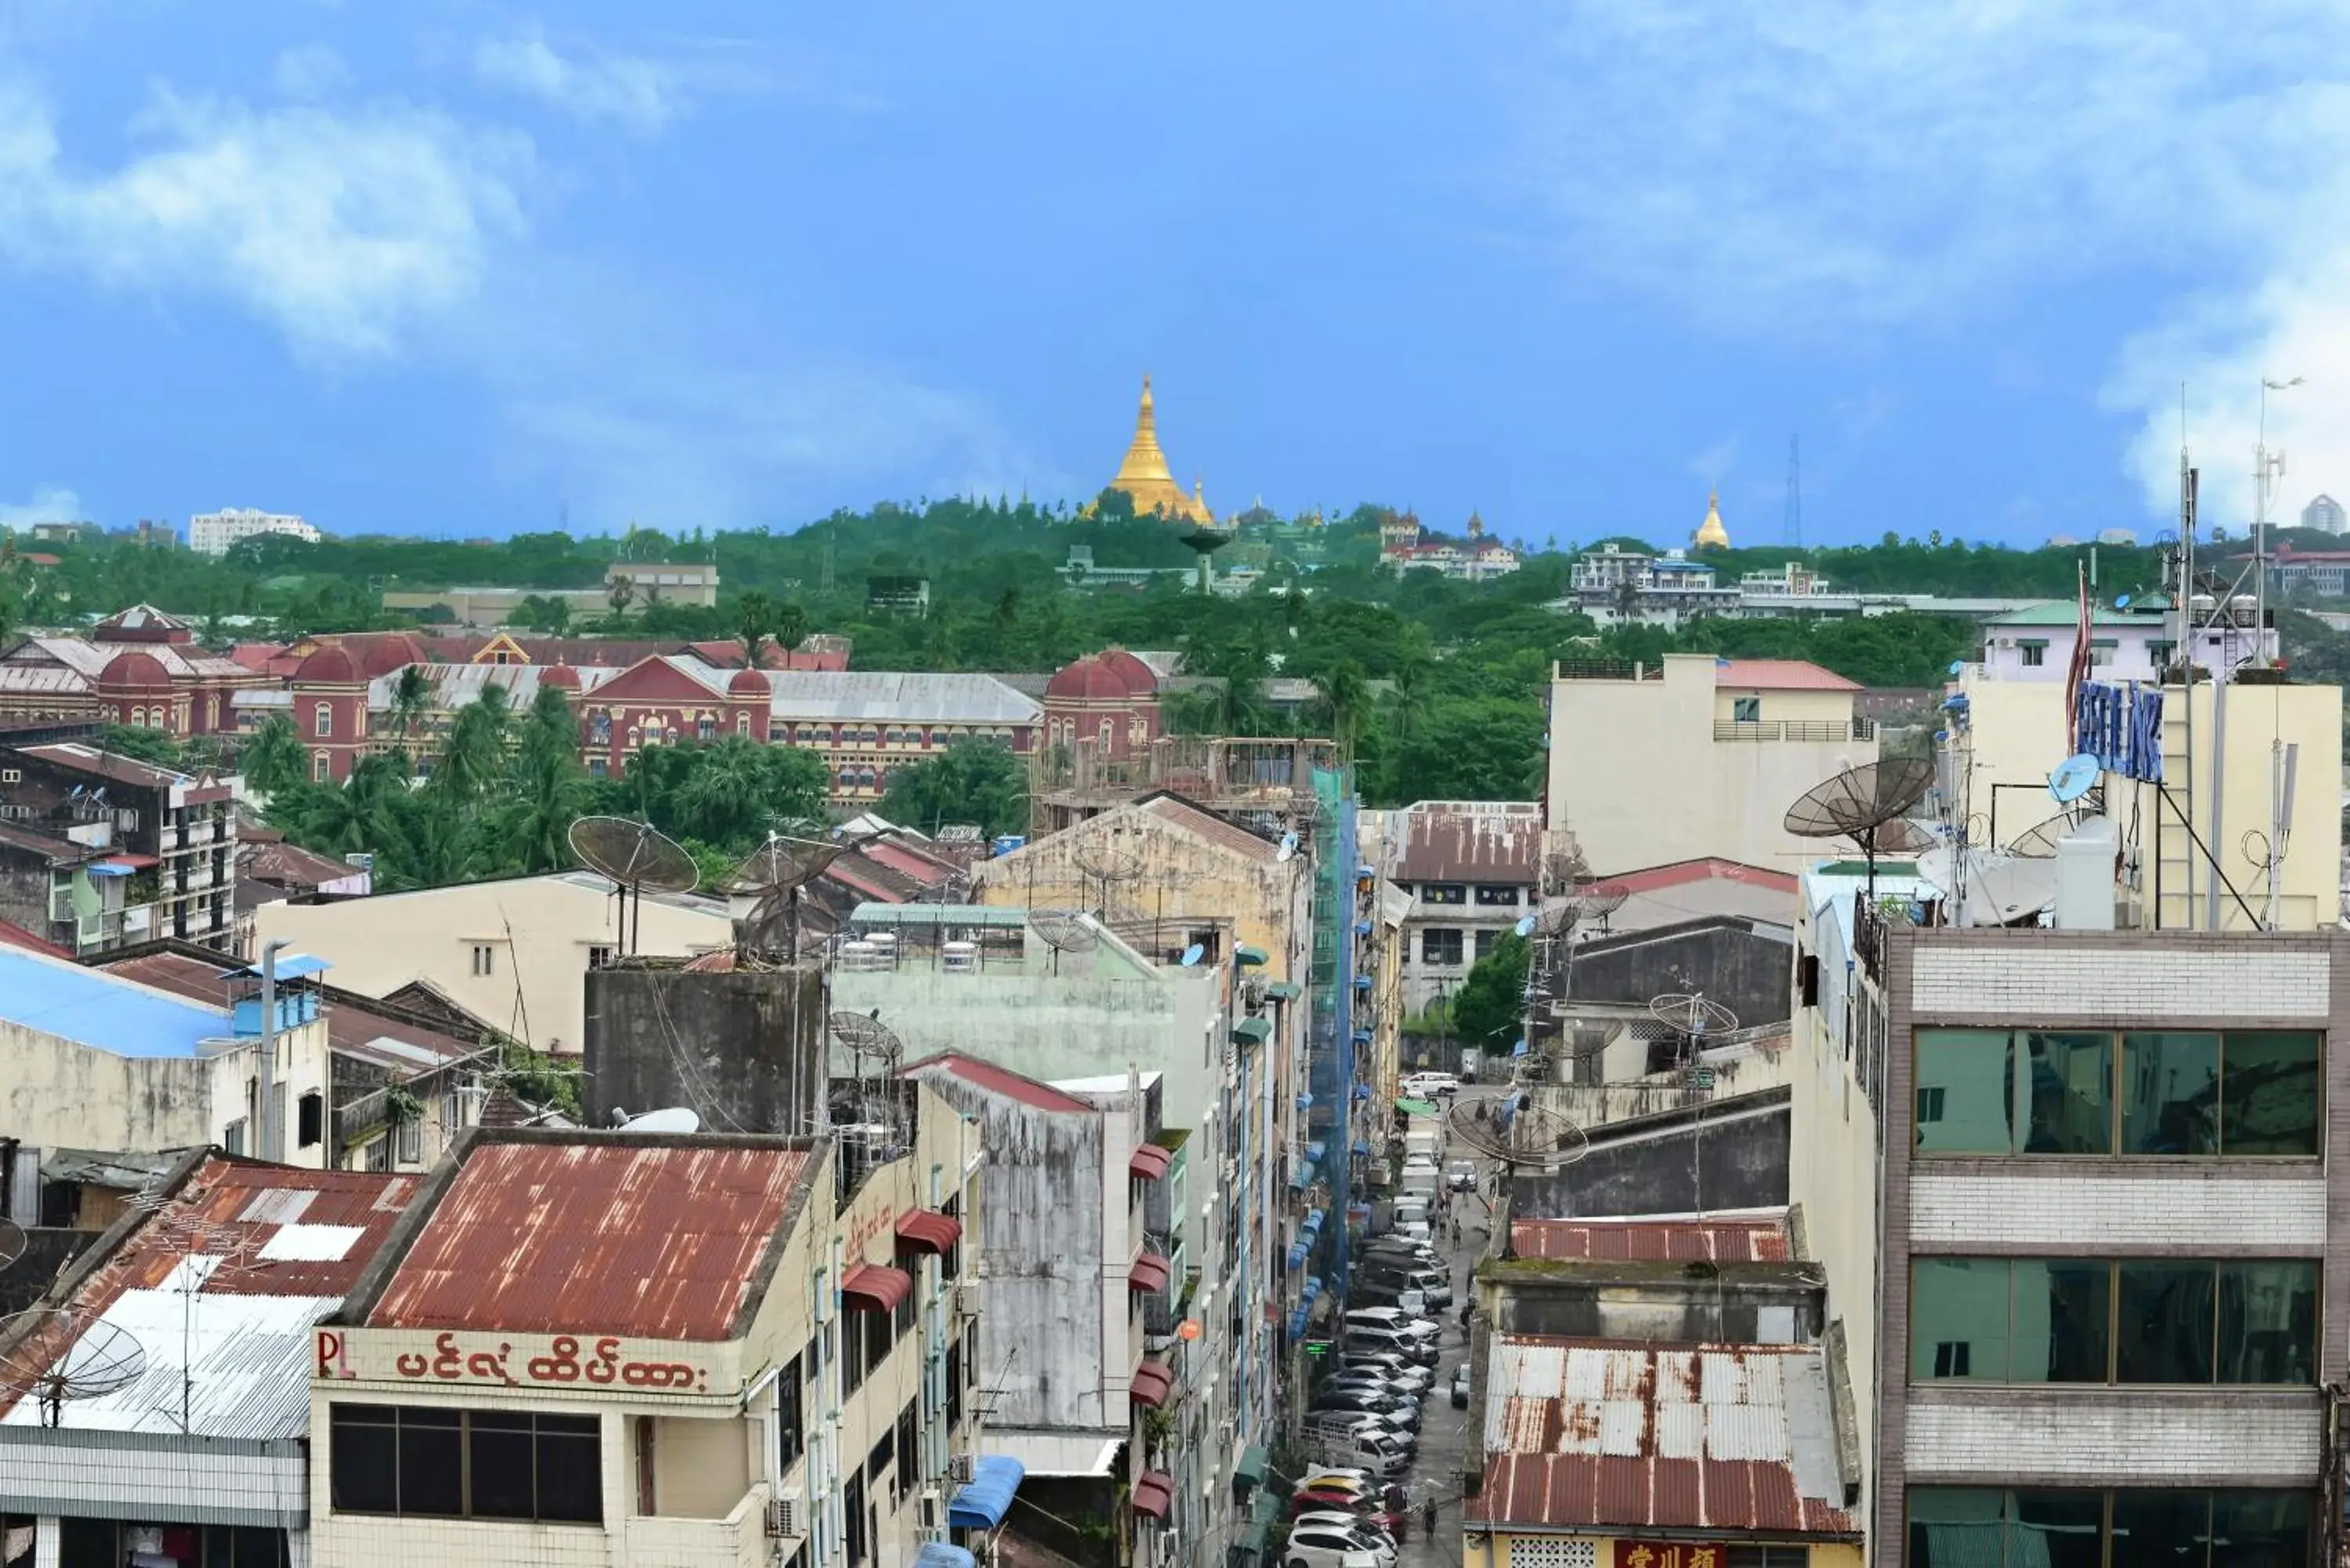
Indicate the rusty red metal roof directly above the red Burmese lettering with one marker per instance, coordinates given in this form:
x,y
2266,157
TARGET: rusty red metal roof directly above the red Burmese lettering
x,y
654,1240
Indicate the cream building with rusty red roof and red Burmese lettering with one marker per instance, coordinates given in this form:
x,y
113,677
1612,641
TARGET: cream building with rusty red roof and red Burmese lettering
x,y
791,1383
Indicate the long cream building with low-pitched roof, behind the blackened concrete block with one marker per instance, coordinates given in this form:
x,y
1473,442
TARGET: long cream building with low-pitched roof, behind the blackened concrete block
x,y
513,953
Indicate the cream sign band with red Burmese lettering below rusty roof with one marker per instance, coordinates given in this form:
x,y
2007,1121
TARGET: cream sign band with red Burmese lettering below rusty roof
x,y
516,1362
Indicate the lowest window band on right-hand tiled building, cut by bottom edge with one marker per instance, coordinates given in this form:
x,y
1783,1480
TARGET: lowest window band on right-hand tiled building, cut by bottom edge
x,y
2128,1529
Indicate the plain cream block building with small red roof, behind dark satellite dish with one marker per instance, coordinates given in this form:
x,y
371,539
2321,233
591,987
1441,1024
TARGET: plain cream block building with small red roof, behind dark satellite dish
x,y
1696,758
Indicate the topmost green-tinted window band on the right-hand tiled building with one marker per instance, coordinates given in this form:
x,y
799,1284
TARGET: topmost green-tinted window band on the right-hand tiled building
x,y
2243,1094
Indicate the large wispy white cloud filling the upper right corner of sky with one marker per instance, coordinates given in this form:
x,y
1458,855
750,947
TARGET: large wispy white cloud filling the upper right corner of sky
x,y
1822,168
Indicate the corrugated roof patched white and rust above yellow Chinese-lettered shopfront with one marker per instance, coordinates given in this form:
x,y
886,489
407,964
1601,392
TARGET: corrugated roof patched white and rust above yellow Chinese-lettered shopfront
x,y
1703,1438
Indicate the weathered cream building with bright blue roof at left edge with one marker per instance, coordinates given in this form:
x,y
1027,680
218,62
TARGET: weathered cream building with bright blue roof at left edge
x,y
93,1061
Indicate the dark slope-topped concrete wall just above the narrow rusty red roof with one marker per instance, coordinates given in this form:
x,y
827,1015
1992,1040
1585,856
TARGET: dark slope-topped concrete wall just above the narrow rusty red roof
x,y
1681,1167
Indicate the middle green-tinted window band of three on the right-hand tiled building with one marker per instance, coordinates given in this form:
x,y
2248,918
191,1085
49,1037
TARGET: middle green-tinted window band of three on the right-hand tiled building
x,y
2114,1322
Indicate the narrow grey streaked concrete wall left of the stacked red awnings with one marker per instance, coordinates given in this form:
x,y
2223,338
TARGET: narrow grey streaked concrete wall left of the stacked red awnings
x,y
1045,1334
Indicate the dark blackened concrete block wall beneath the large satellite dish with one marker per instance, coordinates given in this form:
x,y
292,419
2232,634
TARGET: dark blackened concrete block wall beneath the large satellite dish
x,y
746,1050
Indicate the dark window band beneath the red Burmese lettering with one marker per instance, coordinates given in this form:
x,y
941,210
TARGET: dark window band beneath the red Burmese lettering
x,y
466,1463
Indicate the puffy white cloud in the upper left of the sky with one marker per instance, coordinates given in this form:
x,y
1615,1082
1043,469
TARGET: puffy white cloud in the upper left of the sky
x,y
340,229
